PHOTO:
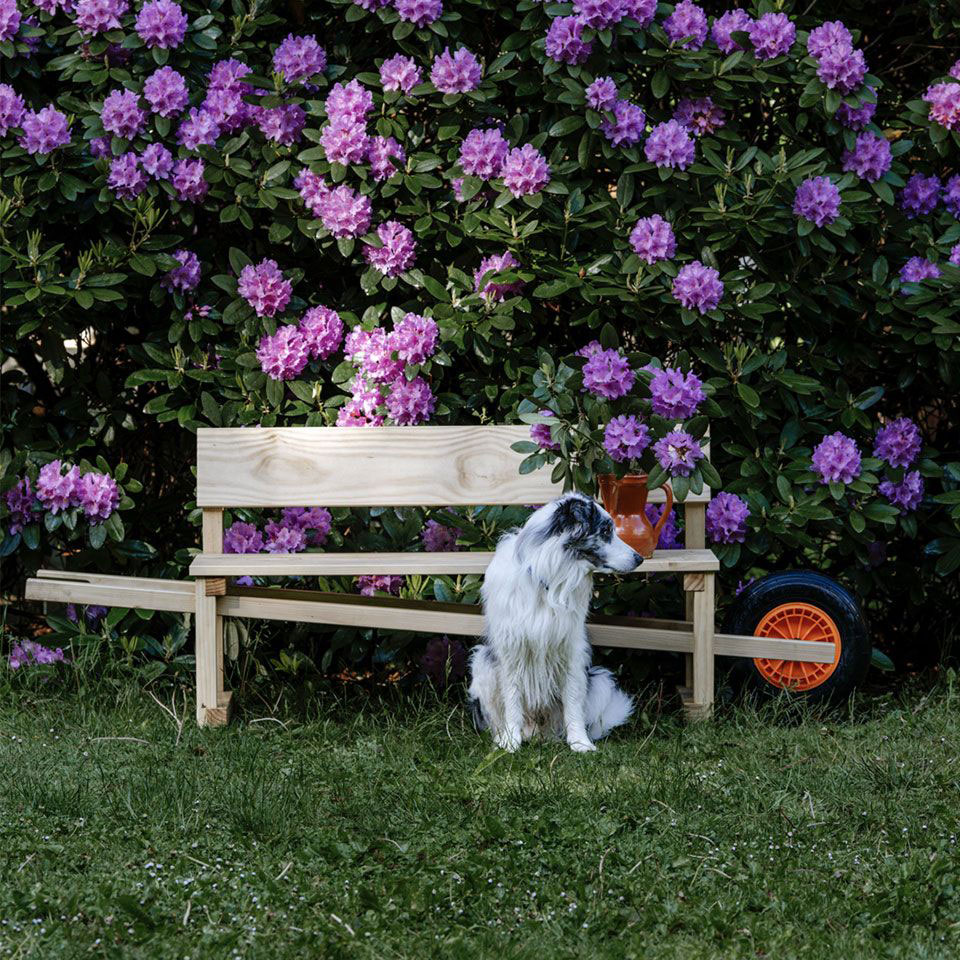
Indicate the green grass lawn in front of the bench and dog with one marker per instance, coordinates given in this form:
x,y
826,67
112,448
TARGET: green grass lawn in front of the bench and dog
x,y
388,829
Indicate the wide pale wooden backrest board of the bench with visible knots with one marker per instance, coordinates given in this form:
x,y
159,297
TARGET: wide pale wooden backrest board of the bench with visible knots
x,y
372,466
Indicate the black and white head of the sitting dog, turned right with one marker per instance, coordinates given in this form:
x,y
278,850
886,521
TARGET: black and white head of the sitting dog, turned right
x,y
579,527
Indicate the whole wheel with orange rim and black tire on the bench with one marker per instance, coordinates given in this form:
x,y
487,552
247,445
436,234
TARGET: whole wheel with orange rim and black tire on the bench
x,y
806,606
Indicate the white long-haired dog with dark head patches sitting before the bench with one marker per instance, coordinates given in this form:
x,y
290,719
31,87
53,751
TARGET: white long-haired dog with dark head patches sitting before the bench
x,y
532,675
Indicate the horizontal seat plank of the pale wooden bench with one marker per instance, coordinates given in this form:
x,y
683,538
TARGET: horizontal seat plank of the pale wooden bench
x,y
353,564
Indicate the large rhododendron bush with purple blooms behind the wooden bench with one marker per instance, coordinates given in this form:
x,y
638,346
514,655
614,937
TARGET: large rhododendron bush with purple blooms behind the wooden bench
x,y
621,222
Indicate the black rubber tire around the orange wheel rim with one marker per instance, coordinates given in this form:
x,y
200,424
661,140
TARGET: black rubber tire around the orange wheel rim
x,y
802,586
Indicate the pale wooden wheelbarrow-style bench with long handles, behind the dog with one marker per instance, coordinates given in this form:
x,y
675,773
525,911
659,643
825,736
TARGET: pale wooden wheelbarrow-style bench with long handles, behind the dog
x,y
392,467
